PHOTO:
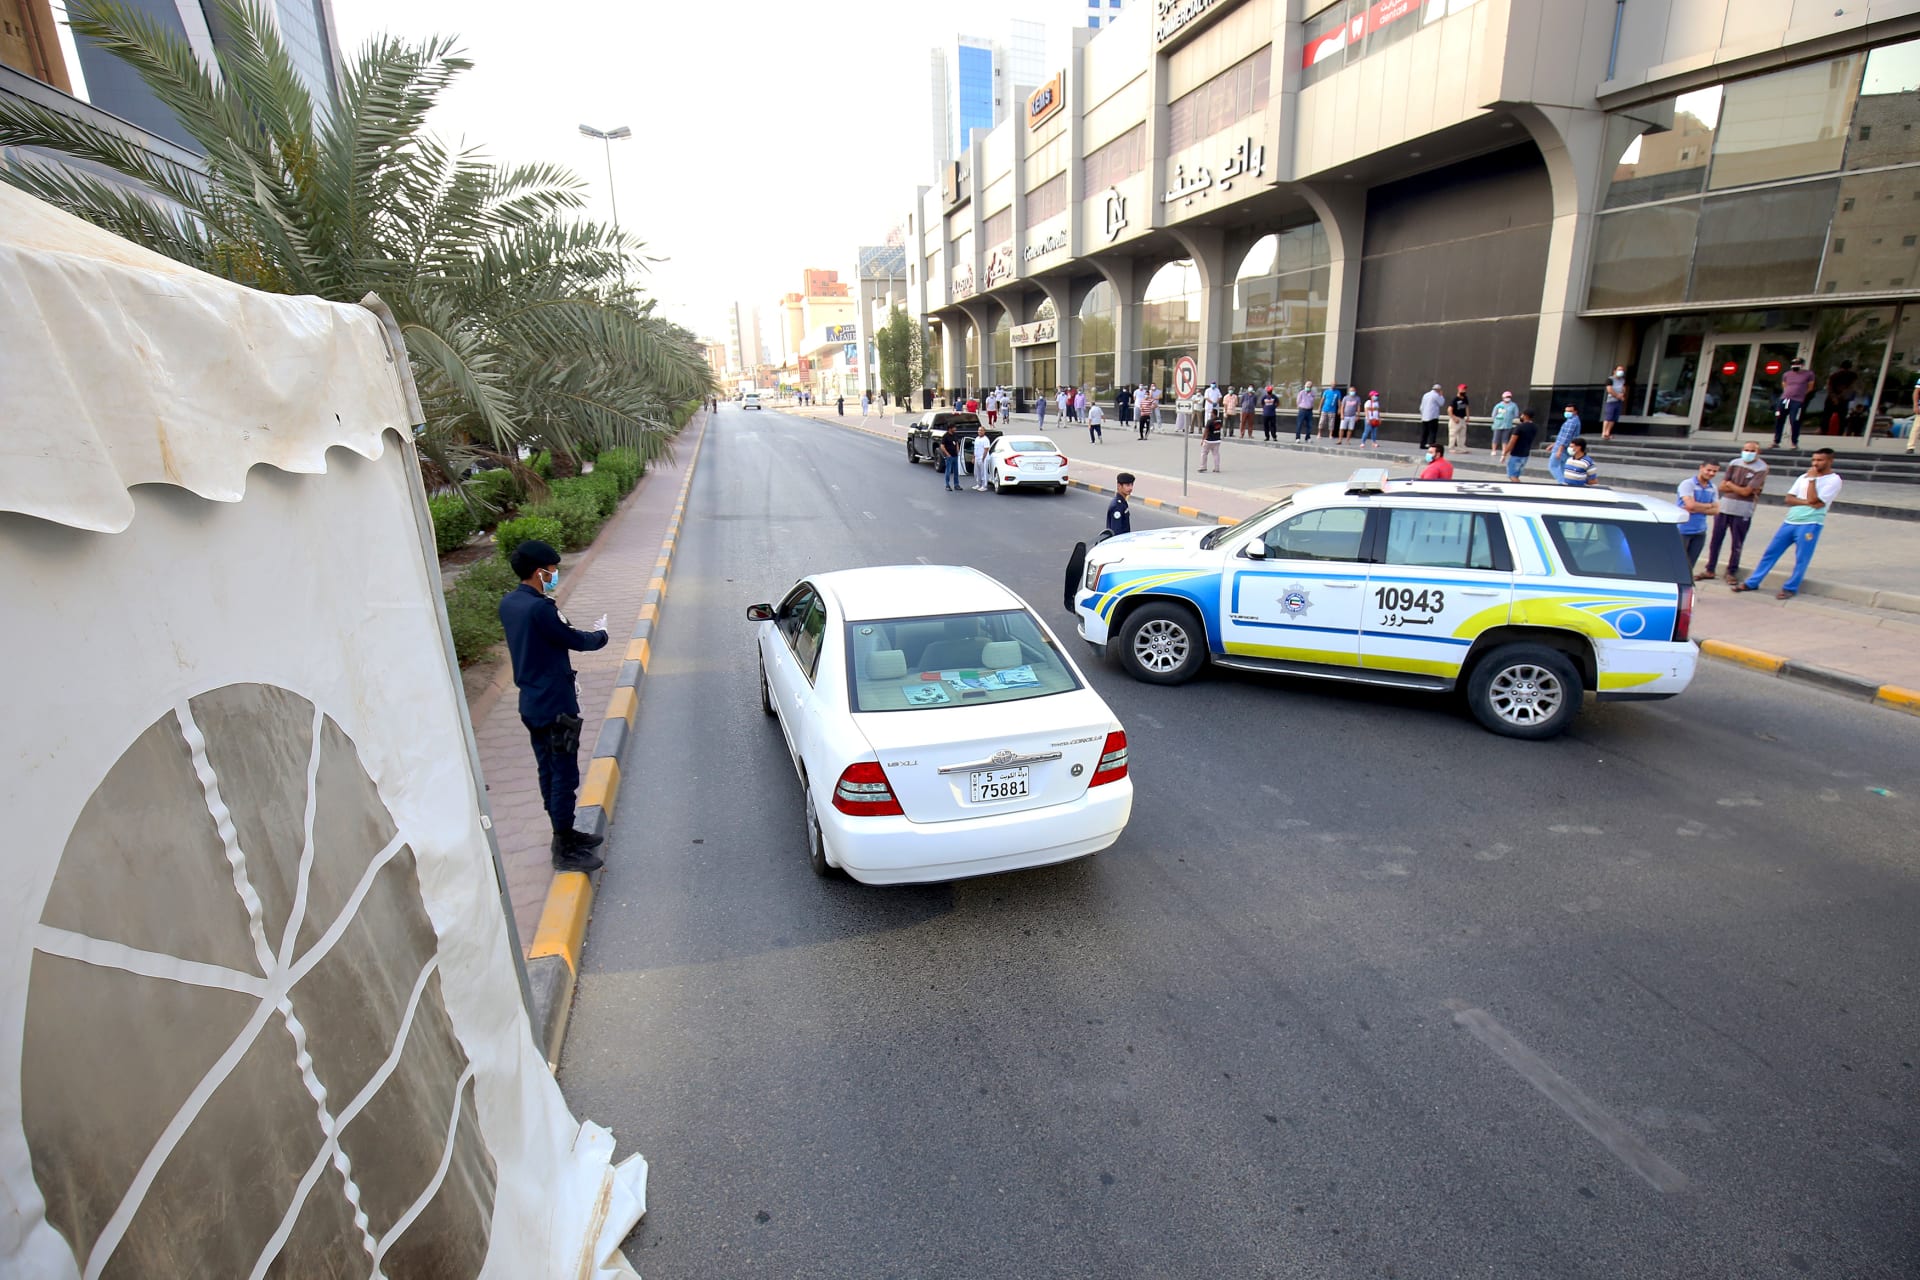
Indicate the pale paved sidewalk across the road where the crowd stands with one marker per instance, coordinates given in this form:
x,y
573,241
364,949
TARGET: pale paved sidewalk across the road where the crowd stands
x,y
1863,554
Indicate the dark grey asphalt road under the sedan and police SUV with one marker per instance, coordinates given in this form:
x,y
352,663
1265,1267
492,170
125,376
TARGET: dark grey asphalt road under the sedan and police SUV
x,y
1364,991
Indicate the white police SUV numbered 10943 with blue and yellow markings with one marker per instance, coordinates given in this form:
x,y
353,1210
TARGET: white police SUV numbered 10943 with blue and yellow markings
x,y
1524,596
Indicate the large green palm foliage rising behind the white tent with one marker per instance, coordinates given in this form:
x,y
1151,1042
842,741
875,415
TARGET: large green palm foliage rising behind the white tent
x,y
516,312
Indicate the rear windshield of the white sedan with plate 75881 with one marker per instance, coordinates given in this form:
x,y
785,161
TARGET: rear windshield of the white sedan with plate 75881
x,y
905,665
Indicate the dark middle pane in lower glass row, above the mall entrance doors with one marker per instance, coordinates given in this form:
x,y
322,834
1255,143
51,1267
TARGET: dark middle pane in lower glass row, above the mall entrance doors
x,y
1762,245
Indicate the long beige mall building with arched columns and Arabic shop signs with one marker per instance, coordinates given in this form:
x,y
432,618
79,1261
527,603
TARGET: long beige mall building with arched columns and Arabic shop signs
x,y
1516,195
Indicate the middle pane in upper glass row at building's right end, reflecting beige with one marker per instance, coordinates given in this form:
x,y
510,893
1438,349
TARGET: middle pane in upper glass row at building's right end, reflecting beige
x,y
1785,126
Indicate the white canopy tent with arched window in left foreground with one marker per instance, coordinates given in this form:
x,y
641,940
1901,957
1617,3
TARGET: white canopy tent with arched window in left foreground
x,y
260,1010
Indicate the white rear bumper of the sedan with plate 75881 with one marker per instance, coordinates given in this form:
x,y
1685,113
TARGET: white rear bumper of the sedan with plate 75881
x,y
894,851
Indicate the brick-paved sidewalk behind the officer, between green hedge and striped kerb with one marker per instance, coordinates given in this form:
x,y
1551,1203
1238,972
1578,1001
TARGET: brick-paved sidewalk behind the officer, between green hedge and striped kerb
x,y
608,579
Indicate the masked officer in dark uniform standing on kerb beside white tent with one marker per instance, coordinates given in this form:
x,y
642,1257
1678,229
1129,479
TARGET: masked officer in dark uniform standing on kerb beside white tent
x,y
539,640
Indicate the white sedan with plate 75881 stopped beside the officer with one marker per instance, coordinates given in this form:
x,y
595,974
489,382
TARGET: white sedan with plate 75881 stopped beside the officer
x,y
938,726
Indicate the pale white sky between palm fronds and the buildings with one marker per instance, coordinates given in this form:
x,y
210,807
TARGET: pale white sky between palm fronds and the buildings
x,y
769,135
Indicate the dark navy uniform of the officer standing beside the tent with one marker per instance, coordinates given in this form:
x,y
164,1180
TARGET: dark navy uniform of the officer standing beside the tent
x,y
550,701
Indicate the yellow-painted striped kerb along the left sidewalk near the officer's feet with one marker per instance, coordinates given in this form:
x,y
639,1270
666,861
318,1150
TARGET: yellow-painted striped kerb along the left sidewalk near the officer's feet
x,y
554,957
